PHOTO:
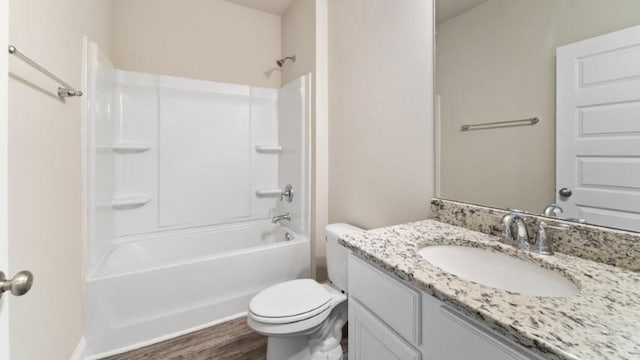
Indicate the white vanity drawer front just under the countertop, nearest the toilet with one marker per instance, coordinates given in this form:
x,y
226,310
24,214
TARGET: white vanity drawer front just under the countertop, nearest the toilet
x,y
395,303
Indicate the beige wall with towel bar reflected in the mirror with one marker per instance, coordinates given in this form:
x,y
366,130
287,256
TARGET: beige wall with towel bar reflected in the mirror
x,y
497,62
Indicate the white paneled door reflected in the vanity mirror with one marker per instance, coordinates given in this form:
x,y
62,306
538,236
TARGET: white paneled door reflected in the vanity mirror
x,y
598,129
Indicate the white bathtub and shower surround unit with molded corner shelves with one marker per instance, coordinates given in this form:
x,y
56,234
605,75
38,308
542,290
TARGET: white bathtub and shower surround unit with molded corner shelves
x,y
183,178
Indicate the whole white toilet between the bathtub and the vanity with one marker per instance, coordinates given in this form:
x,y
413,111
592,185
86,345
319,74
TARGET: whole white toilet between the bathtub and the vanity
x,y
302,318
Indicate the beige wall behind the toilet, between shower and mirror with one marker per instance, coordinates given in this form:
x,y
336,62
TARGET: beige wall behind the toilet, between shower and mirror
x,y
380,111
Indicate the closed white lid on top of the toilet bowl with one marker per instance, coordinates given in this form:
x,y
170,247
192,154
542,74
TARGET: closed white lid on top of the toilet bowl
x,y
289,299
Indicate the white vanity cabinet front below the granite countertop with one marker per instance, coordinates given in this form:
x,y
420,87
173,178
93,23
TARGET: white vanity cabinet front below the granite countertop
x,y
389,319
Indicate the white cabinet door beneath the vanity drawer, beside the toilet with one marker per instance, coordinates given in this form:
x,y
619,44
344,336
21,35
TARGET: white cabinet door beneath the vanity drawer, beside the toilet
x,y
371,339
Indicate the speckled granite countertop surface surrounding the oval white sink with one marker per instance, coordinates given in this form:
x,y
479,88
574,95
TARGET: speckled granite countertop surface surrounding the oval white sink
x,y
602,321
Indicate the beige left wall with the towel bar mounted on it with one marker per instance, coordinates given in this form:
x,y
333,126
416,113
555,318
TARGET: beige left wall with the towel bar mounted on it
x,y
45,177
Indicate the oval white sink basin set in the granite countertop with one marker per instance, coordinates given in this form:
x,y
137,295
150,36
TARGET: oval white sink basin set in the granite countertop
x,y
499,271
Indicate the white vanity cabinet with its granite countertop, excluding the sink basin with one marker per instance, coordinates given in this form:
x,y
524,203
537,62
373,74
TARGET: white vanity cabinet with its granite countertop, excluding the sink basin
x,y
403,307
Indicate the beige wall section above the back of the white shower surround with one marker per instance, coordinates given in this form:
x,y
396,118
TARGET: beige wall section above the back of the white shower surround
x,y
202,39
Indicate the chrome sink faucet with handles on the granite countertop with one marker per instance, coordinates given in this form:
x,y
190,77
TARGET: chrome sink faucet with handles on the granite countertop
x,y
540,243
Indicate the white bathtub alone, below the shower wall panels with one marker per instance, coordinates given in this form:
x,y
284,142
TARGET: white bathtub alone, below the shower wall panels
x,y
152,288
